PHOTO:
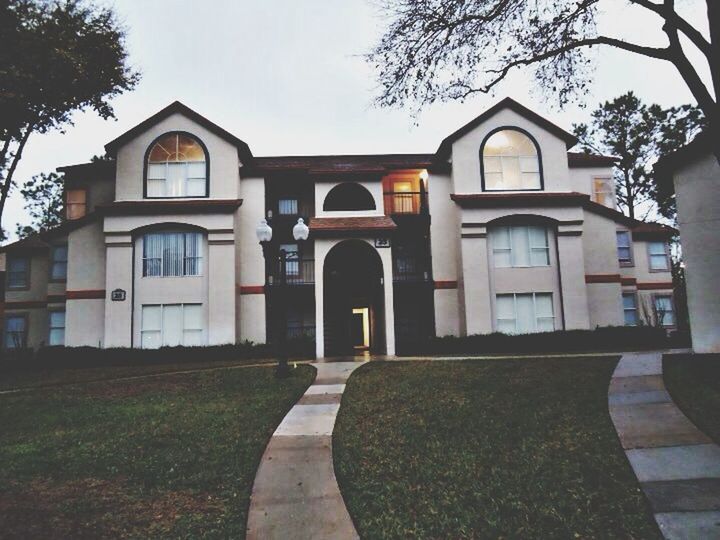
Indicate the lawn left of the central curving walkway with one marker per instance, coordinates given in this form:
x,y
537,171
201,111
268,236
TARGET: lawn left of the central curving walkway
x,y
171,456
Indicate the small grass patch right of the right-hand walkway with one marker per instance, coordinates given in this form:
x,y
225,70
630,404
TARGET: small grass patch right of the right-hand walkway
x,y
693,381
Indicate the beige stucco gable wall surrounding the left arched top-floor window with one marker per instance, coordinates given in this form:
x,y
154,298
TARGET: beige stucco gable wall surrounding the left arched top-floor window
x,y
223,157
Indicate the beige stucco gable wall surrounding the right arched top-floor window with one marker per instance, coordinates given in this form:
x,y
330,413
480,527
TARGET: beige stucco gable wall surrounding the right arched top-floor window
x,y
466,157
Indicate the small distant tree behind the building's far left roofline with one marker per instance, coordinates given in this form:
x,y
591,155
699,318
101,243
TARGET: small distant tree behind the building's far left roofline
x,y
44,202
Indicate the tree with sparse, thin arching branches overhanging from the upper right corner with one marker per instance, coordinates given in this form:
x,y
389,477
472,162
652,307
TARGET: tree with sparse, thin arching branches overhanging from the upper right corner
x,y
451,49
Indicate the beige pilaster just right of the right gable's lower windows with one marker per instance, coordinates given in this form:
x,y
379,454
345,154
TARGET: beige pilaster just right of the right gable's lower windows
x,y
572,276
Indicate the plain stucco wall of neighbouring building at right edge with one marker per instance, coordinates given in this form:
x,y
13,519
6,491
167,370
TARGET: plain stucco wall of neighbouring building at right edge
x,y
697,188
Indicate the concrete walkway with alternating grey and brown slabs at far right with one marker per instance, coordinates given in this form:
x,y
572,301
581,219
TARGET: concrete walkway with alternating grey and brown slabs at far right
x,y
677,465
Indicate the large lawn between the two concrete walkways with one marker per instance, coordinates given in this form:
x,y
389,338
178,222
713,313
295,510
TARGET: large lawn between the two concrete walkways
x,y
492,449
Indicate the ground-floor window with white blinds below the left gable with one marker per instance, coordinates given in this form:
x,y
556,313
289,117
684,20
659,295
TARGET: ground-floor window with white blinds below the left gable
x,y
171,325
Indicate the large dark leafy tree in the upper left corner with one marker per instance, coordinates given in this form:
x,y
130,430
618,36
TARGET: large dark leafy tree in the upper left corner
x,y
56,58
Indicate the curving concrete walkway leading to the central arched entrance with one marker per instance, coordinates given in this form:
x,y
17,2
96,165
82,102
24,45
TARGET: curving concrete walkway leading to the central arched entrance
x,y
295,494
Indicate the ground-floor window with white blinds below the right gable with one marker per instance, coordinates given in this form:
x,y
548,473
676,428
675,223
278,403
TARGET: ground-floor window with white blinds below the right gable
x,y
525,313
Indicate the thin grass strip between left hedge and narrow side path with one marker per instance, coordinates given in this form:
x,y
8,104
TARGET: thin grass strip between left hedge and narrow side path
x,y
39,378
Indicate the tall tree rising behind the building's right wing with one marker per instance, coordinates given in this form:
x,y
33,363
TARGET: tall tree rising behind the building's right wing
x,y
638,135
